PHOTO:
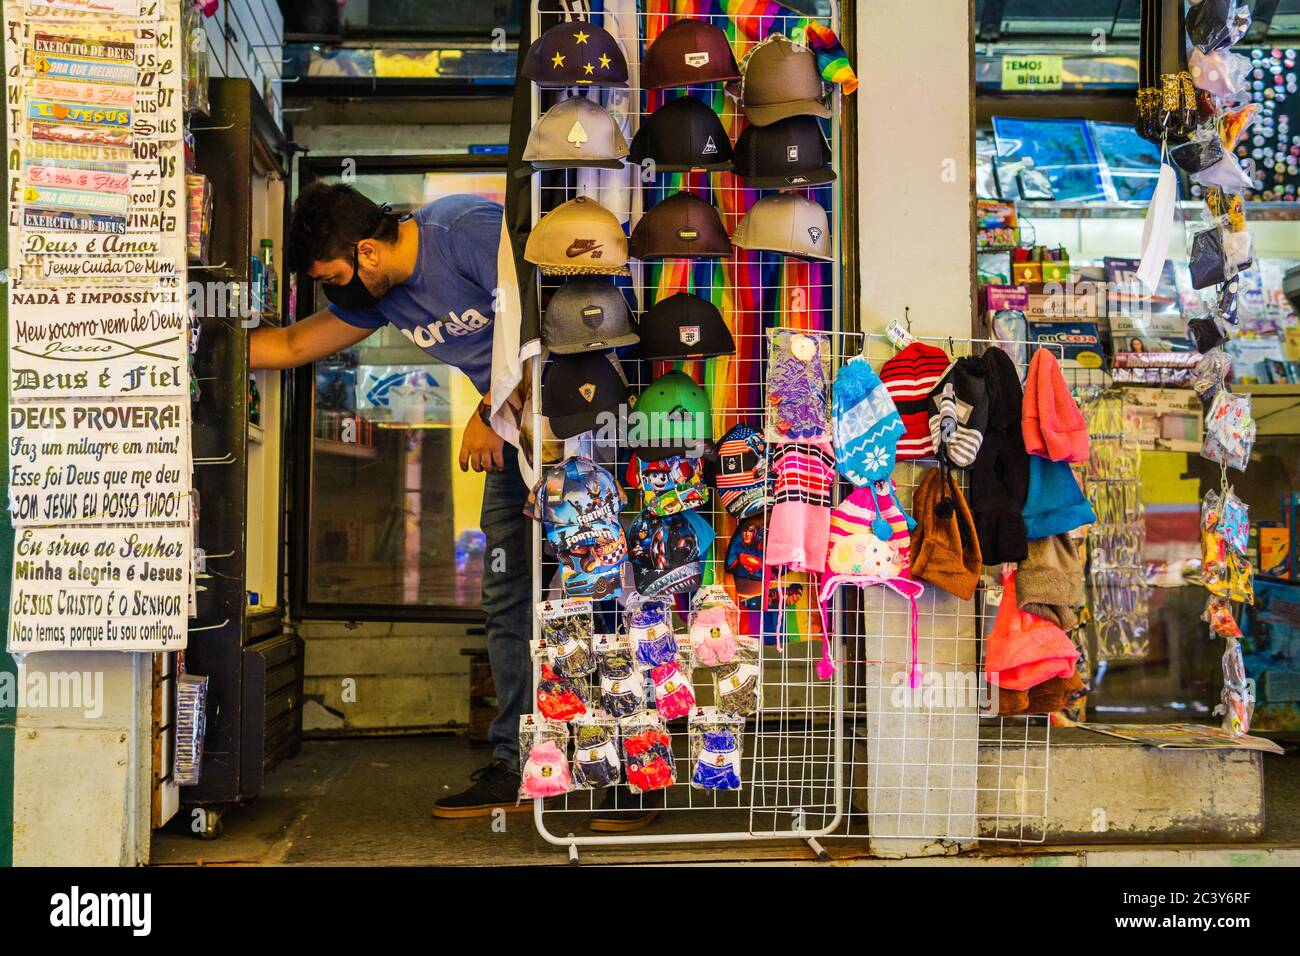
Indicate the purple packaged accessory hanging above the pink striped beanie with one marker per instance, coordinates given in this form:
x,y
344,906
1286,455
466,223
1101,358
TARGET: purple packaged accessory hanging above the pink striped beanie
x,y
799,399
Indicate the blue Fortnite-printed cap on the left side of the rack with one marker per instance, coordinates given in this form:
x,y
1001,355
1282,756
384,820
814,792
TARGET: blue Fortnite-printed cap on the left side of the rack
x,y
579,504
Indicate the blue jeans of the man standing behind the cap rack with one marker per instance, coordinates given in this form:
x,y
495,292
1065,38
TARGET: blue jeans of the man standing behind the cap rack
x,y
509,602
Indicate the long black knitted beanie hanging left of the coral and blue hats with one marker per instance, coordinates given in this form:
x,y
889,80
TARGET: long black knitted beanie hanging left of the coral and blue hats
x,y
999,479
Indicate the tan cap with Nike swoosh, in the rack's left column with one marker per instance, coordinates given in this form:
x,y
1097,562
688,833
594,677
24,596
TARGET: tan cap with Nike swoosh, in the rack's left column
x,y
579,237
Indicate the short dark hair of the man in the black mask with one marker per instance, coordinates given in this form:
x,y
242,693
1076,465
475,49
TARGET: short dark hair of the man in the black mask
x,y
330,220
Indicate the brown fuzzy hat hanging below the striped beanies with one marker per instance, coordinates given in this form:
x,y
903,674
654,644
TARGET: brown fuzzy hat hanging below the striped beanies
x,y
944,547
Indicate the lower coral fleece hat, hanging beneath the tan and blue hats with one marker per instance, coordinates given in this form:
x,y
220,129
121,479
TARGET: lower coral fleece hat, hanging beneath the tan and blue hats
x,y
1024,651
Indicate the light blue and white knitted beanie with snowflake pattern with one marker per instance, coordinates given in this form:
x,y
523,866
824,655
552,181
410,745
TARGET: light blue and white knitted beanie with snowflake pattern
x,y
868,426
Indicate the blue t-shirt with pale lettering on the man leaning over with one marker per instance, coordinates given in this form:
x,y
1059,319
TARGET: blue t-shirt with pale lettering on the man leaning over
x,y
447,306
